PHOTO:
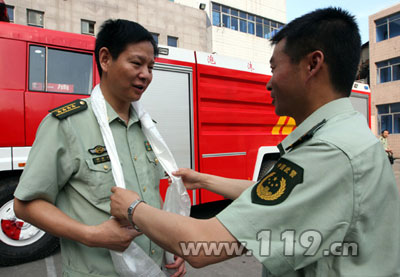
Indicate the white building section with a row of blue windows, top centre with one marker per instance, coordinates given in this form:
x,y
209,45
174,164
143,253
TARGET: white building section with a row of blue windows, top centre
x,y
240,28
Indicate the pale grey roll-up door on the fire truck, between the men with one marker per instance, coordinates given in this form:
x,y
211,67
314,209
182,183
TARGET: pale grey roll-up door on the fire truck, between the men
x,y
168,100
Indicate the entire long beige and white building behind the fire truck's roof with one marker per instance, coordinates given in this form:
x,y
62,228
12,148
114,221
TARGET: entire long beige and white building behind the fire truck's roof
x,y
234,28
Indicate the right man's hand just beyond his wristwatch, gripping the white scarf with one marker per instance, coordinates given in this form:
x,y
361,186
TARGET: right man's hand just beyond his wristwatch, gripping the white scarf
x,y
121,199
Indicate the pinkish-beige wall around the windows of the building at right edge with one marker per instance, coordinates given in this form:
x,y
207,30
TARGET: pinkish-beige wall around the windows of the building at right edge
x,y
389,92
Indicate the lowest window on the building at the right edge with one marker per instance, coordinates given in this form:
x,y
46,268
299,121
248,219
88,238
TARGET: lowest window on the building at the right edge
x,y
389,117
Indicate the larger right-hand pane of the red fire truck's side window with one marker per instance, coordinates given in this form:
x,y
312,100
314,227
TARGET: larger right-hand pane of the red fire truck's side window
x,y
69,72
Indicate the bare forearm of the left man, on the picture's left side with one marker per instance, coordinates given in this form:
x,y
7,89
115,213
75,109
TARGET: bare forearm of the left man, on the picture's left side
x,y
49,218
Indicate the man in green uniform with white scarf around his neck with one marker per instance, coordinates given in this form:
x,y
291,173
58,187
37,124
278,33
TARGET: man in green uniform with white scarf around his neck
x,y
65,187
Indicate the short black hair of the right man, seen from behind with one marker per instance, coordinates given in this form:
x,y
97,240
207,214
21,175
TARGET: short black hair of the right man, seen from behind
x,y
332,31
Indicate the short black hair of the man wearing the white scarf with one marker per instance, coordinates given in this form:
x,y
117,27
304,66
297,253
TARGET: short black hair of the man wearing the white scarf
x,y
115,35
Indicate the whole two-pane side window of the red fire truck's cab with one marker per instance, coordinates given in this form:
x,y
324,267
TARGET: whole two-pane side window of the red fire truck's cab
x,y
47,74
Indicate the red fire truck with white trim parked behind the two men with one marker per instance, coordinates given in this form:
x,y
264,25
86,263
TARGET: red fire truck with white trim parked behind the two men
x,y
213,111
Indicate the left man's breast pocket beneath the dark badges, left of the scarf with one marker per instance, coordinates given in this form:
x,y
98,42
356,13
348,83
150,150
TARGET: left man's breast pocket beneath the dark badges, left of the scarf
x,y
100,178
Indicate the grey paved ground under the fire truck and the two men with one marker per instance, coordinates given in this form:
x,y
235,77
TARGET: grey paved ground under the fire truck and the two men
x,y
240,266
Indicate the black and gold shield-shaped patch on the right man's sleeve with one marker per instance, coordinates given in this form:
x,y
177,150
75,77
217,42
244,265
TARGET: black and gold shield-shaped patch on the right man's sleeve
x,y
277,185
